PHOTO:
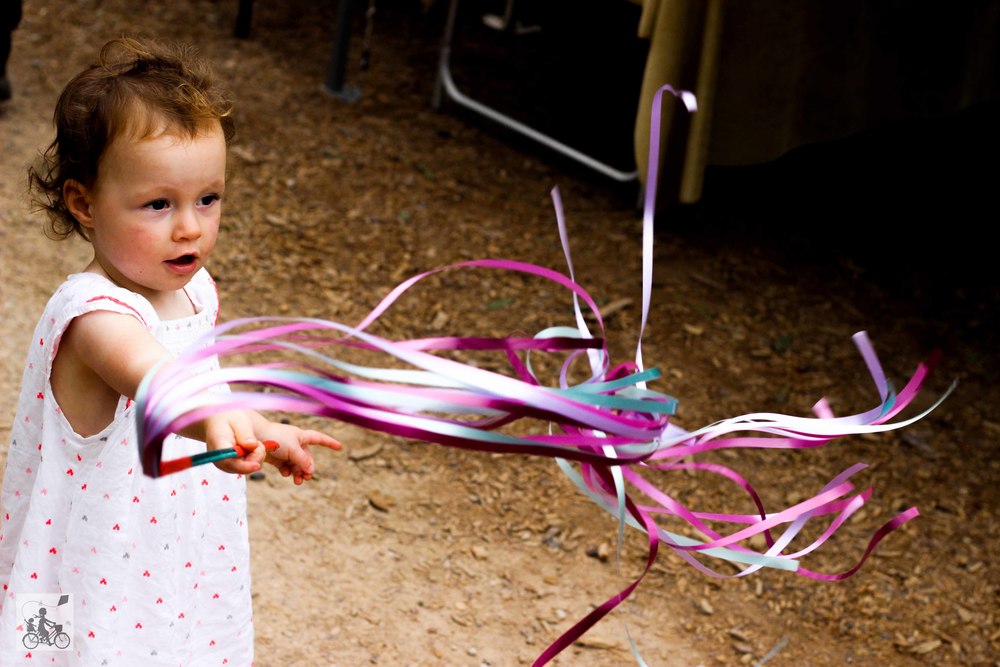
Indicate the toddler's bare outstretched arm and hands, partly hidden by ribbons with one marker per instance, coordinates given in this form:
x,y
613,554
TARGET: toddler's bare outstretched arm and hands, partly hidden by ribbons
x,y
104,355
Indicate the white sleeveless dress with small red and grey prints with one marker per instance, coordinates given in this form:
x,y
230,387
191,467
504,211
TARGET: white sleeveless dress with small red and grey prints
x,y
157,570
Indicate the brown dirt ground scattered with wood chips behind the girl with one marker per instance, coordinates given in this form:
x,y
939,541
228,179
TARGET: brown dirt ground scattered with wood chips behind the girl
x,y
414,554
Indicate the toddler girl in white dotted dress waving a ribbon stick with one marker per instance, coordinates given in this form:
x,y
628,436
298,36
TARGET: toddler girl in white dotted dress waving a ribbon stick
x,y
157,570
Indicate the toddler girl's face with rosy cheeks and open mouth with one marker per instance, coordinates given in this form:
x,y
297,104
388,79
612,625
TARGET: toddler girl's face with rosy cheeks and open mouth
x,y
155,210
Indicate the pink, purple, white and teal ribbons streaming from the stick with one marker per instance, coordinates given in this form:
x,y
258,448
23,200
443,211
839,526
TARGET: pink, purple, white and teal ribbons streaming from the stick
x,y
605,433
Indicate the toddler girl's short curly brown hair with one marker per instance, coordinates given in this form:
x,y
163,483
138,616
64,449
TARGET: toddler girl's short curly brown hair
x,y
138,88
